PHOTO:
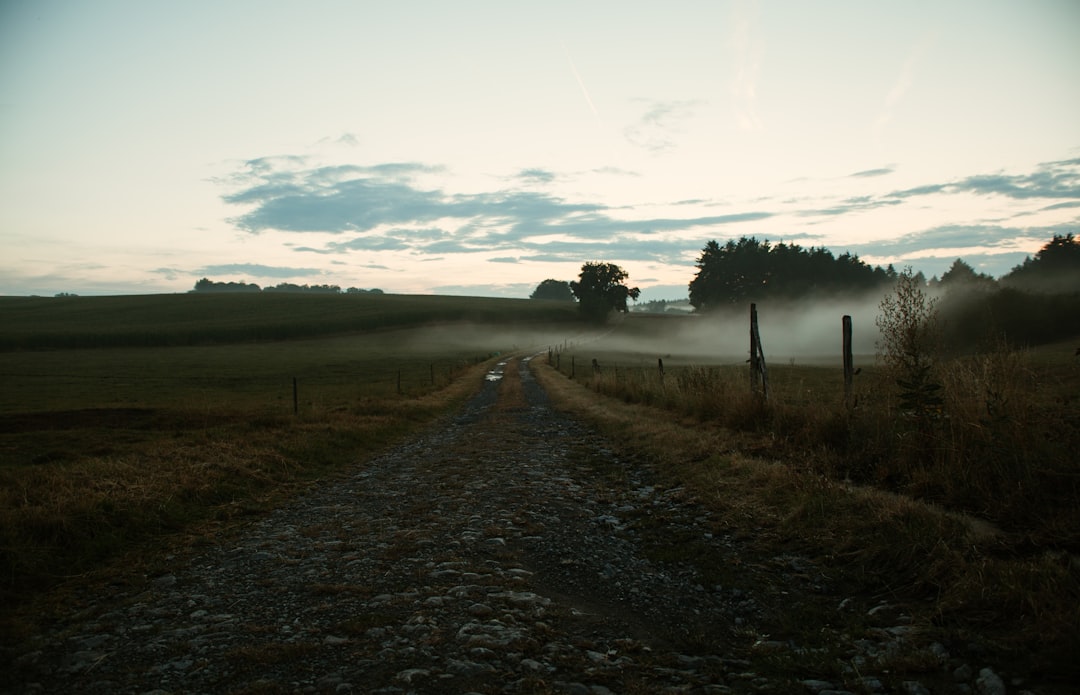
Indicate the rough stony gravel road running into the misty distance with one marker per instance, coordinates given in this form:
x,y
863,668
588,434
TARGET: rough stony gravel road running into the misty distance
x,y
506,551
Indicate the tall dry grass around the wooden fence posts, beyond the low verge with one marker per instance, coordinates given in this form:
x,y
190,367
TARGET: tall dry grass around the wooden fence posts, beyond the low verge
x,y
1003,447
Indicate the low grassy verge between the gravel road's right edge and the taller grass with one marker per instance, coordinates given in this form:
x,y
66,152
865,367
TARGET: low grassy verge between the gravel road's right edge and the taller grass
x,y
964,579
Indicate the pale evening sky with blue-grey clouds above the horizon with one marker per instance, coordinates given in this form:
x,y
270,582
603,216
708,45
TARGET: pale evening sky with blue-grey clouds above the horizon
x,y
481,147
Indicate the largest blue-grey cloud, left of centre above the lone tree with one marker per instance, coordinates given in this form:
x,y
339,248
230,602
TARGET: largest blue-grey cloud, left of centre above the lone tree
x,y
382,208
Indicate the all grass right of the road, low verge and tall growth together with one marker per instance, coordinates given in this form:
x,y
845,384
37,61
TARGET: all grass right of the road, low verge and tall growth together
x,y
785,471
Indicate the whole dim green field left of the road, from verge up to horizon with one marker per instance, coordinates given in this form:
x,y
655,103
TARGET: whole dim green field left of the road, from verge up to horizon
x,y
126,418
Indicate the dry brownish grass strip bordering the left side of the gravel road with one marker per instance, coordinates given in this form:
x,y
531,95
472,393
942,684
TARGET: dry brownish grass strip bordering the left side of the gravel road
x,y
103,490
